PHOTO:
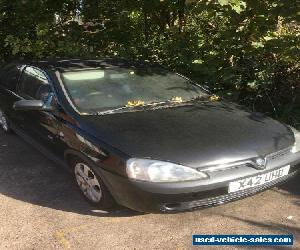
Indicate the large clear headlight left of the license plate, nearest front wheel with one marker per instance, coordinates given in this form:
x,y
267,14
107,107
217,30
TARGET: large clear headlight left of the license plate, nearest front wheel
x,y
159,171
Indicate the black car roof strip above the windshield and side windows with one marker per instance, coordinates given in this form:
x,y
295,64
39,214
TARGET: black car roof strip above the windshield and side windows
x,y
64,65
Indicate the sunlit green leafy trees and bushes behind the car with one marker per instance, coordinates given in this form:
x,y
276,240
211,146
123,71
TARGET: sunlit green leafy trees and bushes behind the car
x,y
247,51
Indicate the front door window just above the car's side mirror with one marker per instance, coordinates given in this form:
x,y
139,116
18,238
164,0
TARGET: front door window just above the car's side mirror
x,y
31,82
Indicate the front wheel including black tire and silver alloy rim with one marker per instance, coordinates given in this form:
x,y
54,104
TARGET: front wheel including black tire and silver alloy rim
x,y
91,185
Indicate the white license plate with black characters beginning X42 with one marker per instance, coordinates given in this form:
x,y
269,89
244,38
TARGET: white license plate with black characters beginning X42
x,y
258,180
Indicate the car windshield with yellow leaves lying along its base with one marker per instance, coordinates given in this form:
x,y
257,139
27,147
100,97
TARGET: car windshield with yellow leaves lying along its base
x,y
101,90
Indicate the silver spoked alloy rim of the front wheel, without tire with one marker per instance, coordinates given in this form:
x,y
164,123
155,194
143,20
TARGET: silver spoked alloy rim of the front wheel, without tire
x,y
88,182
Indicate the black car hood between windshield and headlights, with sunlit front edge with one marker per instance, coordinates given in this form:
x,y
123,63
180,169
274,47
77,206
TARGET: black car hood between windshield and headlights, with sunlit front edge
x,y
196,135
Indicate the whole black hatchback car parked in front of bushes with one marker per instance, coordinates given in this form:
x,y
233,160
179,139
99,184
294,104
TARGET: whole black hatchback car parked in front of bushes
x,y
142,136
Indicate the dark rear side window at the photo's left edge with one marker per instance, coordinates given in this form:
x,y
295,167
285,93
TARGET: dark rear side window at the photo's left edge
x,y
9,76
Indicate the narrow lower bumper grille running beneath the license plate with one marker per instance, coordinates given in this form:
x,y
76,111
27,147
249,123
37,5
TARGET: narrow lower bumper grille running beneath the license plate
x,y
208,202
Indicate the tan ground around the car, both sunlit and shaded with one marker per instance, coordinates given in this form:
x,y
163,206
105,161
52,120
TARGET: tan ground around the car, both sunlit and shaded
x,y
42,209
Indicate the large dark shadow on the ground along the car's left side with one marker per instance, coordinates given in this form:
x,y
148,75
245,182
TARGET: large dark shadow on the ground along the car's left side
x,y
27,175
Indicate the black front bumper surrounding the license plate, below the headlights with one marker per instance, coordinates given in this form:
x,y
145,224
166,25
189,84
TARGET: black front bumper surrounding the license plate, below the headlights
x,y
174,197
